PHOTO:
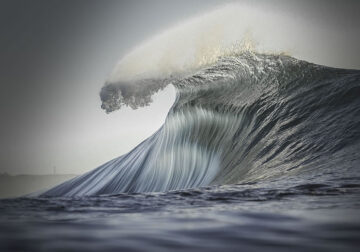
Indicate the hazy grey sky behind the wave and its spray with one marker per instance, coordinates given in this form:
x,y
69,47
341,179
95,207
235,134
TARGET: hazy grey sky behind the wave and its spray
x,y
56,55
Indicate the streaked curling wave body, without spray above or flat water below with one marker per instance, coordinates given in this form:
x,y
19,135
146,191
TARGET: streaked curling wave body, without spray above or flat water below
x,y
246,118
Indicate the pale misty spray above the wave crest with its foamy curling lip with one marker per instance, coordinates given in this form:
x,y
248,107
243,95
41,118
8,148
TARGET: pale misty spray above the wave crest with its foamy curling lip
x,y
197,43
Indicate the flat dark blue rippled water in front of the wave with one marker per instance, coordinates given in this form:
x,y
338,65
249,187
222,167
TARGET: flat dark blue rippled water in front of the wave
x,y
292,215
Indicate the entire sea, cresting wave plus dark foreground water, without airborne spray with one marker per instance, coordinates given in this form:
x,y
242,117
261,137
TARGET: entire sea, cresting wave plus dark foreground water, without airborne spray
x,y
259,152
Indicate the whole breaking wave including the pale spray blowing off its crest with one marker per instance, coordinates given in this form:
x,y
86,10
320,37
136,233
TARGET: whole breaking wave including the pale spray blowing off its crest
x,y
243,113
